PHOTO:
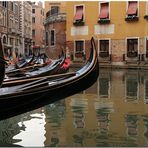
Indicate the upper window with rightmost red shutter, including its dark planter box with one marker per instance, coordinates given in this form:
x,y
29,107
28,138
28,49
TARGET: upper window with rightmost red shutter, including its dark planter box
x,y
132,11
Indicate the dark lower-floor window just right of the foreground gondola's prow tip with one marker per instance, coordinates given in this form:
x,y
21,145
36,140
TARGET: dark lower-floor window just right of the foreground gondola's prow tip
x,y
104,48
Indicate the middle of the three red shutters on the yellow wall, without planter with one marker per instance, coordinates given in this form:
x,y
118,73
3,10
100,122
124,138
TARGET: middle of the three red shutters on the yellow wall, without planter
x,y
104,11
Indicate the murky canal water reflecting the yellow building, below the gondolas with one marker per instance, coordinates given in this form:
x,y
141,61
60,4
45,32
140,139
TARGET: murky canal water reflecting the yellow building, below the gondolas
x,y
111,113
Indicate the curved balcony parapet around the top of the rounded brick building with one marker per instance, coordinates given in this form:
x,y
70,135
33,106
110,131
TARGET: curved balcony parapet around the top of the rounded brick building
x,y
56,17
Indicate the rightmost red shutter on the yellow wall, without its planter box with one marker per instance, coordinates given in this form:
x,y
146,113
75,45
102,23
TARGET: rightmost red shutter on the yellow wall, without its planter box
x,y
132,8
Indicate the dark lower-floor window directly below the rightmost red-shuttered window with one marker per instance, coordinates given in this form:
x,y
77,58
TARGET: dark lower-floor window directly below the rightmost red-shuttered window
x,y
132,47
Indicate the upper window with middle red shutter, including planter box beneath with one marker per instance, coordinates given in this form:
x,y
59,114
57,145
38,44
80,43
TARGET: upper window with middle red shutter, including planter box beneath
x,y
104,13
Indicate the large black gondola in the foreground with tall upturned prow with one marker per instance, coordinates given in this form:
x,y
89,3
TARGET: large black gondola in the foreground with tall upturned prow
x,y
23,98
